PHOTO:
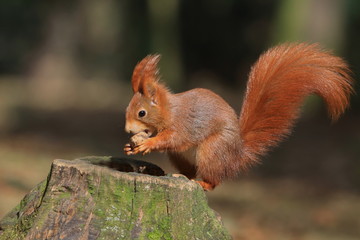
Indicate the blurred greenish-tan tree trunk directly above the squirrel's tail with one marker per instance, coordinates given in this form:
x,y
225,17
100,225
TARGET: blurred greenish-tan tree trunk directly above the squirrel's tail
x,y
320,21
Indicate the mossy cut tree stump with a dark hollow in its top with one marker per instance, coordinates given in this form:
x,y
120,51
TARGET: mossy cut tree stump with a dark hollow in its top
x,y
112,198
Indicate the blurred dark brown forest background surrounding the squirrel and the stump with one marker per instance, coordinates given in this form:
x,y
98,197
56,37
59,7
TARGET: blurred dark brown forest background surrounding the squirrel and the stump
x,y
65,68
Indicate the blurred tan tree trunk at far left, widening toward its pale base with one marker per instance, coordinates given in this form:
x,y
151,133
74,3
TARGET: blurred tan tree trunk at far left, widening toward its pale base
x,y
55,71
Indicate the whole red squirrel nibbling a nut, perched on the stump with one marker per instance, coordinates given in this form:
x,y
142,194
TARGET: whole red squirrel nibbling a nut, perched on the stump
x,y
202,134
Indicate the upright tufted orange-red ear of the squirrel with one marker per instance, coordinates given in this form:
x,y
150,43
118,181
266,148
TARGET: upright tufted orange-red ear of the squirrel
x,y
145,74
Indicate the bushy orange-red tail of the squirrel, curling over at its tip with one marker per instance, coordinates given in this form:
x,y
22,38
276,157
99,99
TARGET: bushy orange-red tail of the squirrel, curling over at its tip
x,y
278,83
